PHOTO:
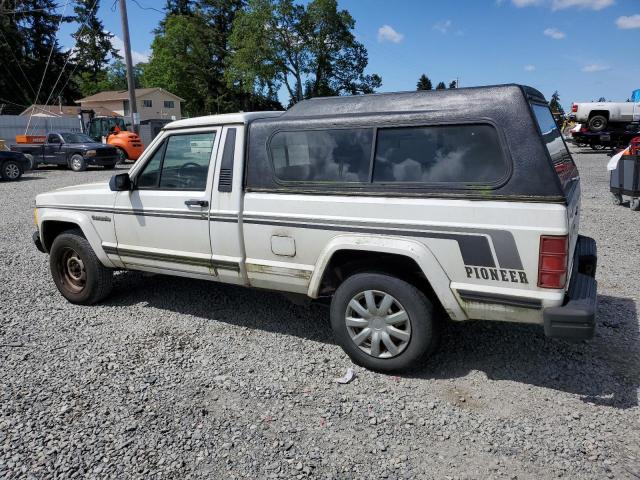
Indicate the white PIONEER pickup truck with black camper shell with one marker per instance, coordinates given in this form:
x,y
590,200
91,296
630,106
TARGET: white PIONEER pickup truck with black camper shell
x,y
401,209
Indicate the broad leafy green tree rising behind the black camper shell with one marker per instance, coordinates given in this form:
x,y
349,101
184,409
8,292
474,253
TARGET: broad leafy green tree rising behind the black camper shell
x,y
311,50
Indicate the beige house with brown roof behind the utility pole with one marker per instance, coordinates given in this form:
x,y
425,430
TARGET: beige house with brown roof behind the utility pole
x,y
152,103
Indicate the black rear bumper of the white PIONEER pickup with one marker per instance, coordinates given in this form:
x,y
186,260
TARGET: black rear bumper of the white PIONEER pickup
x,y
576,318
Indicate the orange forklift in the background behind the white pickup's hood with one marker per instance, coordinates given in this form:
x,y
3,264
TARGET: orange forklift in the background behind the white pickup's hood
x,y
112,131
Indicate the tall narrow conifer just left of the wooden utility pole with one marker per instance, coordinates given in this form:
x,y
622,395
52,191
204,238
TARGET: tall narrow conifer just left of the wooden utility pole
x,y
93,47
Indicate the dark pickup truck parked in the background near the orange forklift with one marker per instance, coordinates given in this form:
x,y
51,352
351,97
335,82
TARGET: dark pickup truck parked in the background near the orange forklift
x,y
75,150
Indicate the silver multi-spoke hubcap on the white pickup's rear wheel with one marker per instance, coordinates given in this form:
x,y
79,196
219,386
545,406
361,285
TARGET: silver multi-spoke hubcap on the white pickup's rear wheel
x,y
378,324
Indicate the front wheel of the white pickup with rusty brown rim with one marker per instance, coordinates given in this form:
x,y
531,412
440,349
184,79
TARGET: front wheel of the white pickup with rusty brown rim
x,y
77,271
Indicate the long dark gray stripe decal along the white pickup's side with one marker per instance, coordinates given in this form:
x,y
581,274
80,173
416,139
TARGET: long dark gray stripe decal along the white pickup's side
x,y
474,247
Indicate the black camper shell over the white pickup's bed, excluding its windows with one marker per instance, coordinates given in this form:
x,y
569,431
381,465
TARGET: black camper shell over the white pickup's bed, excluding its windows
x,y
530,174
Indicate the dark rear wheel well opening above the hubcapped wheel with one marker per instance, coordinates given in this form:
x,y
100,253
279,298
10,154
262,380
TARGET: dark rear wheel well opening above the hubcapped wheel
x,y
345,263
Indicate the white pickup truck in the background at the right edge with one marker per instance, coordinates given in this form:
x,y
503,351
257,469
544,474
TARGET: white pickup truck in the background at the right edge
x,y
600,115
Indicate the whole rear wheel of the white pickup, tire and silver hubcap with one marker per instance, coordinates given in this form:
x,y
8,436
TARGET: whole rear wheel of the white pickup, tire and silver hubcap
x,y
383,323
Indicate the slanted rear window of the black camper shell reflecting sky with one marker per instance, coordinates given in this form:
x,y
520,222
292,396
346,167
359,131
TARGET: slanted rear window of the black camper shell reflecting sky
x,y
560,156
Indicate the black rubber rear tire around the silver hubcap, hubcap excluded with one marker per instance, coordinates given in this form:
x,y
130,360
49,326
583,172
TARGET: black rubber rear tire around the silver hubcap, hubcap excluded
x,y
423,336
